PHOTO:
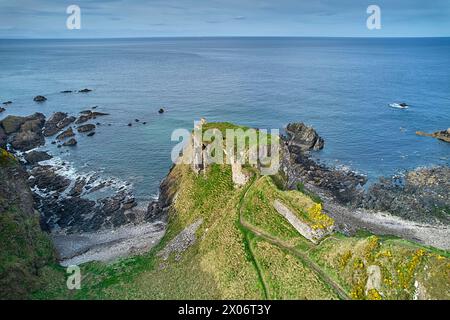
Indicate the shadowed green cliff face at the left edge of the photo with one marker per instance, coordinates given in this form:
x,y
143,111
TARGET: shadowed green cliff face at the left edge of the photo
x,y
24,247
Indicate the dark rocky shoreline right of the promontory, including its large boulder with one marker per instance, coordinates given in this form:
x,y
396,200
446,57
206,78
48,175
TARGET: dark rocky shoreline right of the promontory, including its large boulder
x,y
420,195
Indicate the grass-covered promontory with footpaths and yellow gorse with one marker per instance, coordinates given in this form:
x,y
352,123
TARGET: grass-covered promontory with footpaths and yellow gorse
x,y
235,245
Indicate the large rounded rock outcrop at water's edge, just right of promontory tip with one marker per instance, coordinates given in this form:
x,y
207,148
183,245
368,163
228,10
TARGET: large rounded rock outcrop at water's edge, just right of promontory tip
x,y
303,138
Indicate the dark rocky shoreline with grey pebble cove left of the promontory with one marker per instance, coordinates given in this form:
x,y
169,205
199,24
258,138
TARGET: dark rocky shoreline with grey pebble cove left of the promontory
x,y
88,216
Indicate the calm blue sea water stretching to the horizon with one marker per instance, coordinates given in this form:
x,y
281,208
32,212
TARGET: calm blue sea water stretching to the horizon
x,y
340,86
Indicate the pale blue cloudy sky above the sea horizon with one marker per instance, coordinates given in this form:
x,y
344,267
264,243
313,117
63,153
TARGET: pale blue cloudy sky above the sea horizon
x,y
168,18
